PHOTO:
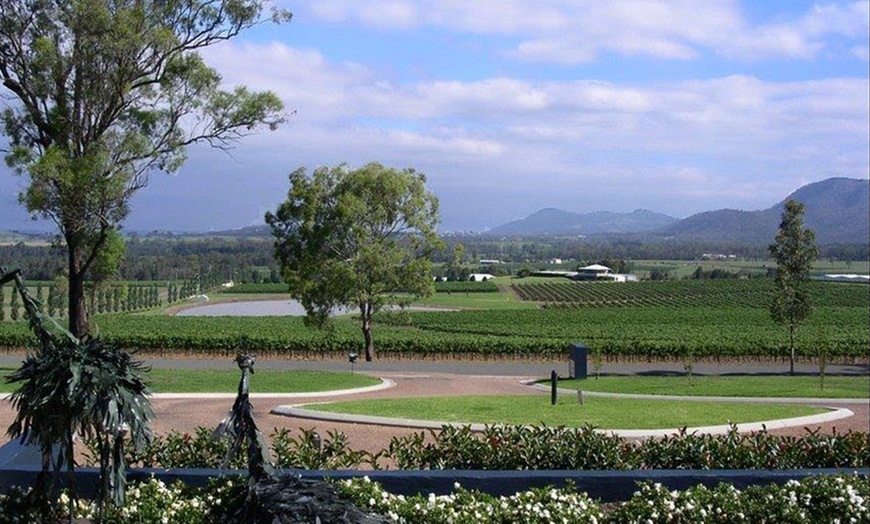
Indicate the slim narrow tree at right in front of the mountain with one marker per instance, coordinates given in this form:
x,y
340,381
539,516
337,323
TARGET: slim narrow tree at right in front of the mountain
x,y
794,252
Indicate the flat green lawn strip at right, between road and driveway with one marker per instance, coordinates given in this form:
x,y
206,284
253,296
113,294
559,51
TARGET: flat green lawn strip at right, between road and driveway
x,y
727,386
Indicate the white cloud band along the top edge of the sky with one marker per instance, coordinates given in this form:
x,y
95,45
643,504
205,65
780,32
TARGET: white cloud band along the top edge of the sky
x,y
578,31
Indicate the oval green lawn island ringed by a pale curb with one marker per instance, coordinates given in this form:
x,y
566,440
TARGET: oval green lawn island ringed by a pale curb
x,y
536,409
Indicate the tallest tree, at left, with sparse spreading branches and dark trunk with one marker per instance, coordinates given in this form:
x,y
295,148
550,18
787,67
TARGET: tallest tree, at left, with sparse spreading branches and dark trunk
x,y
103,93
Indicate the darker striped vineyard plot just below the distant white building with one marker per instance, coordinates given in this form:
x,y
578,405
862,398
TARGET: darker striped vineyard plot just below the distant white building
x,y
755,293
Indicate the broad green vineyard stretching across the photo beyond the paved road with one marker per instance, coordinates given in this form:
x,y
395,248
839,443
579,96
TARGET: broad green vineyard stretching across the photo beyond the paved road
x,y
671,320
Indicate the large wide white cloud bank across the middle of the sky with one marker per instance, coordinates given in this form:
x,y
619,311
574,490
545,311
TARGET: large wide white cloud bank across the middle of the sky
x,y
720,135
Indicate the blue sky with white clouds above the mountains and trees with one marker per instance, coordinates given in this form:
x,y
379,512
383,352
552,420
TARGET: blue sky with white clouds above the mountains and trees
x,y
510,106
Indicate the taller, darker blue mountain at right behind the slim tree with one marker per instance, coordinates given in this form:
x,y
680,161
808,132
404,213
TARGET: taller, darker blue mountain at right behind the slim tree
x,y
837,209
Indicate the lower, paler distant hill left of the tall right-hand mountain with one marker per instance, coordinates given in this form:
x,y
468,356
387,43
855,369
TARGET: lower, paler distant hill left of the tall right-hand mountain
x,y
557,222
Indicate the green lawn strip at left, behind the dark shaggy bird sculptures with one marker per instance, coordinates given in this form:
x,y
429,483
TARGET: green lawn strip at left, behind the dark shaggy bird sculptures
x,y
263,381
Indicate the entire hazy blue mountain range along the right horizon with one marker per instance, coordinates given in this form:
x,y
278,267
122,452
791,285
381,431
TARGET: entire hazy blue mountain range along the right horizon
x,y
837,209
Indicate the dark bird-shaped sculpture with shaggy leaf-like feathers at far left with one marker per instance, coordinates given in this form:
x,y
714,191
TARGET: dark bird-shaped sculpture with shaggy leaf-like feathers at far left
x,y
85,387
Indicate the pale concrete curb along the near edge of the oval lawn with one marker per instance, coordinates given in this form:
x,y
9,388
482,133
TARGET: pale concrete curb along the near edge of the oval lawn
x,y
301,412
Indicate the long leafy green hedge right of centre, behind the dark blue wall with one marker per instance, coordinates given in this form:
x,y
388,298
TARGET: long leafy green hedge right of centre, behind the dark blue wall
x,y
543,447
